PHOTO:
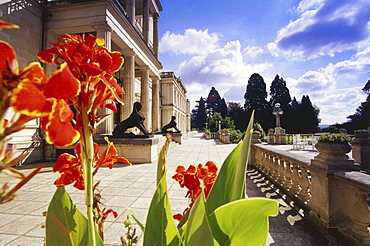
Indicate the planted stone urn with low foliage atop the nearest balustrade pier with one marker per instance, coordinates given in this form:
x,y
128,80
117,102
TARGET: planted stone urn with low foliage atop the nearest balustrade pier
x,y
334,144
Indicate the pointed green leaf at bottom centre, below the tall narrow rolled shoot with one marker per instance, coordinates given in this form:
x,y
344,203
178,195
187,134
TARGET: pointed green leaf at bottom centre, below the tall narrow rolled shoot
x,y
160,228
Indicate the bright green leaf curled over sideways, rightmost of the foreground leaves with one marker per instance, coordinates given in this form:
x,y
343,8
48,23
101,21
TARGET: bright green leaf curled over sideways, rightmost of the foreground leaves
x,y
243,222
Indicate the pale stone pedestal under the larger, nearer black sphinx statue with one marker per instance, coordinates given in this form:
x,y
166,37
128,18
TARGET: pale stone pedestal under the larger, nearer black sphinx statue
x,y
137,150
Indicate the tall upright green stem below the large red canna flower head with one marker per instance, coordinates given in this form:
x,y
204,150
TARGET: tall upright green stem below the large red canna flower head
x,y
87,155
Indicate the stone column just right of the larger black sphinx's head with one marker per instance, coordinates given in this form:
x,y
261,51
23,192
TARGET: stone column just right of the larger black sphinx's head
x,y
144,96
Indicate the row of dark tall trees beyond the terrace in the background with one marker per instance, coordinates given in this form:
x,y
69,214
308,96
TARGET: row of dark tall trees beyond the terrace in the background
x,y
298,117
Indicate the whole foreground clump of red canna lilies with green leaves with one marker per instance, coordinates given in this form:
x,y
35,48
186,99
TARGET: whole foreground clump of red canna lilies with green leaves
x,y
219,212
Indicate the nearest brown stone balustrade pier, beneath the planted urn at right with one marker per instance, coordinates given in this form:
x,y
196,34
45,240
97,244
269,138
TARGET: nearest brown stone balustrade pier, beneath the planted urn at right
x,y
327,191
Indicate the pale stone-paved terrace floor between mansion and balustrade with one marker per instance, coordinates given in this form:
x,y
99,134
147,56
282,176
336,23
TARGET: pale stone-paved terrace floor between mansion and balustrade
x,y
133,186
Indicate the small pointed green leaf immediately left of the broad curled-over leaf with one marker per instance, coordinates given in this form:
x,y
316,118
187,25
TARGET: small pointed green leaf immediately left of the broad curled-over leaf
x,y
198,231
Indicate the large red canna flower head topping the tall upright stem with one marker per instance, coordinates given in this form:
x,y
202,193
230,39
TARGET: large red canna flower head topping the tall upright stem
x,y
91,65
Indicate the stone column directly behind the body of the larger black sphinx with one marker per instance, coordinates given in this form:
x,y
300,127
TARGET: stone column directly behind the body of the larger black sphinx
x,y
128,84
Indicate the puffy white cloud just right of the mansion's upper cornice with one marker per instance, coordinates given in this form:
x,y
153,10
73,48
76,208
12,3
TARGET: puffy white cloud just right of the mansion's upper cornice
x,y
192,42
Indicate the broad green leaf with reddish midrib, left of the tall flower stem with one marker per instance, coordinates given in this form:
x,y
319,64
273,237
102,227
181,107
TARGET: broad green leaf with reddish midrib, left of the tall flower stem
x,y
65,224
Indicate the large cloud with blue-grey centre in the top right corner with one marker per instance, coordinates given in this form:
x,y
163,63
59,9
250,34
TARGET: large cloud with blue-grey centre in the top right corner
x,y
324,28
